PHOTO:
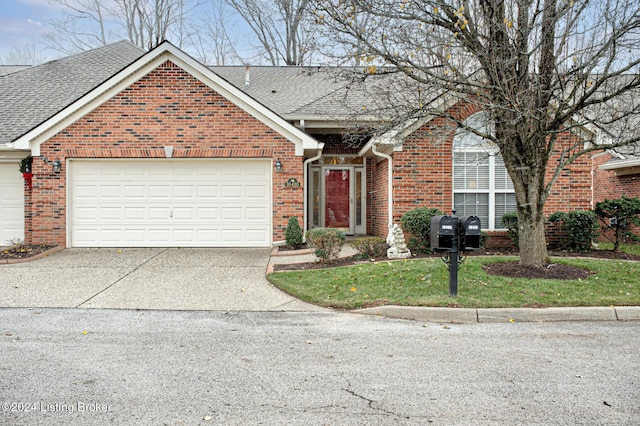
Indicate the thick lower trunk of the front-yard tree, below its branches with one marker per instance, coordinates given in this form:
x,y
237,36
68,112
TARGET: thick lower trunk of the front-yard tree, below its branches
x,y
532,239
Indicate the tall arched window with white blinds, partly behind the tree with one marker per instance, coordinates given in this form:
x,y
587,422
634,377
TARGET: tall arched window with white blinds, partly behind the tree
x,y
481,185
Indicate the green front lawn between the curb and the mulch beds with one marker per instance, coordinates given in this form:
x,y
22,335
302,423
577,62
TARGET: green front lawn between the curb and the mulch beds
x,y
425,282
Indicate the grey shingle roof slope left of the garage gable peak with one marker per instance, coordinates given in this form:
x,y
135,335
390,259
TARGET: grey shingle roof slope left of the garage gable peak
x,y
35,94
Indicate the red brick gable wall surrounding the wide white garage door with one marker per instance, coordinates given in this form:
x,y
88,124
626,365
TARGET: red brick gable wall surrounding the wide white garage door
x,y
166,107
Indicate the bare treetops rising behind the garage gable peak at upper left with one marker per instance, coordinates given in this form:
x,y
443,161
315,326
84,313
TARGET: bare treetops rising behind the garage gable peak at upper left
x,y
86,24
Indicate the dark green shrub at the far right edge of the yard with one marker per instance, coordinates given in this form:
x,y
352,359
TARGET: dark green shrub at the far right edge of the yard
x,y
616,215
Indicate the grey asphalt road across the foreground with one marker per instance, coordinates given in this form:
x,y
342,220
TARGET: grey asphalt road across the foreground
x,y
75,366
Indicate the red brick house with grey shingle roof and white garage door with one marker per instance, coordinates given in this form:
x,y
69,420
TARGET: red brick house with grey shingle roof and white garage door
x,y
135,149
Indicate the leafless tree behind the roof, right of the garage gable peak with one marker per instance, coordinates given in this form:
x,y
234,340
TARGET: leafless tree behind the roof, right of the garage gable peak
x,y
283,28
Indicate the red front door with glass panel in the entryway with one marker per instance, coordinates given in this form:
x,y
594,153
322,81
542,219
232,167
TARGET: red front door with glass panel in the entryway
x,y
337,206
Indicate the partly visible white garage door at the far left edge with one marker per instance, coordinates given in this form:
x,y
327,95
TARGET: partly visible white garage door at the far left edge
x,y
11,203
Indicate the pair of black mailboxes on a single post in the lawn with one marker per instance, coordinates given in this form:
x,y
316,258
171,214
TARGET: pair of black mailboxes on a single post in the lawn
x,y
451,235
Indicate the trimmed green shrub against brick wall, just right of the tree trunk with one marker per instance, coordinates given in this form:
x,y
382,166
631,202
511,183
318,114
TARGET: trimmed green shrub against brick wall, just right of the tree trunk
x,y
579,228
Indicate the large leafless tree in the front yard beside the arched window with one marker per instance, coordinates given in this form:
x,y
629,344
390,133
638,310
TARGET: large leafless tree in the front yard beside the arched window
x,y
538,68
